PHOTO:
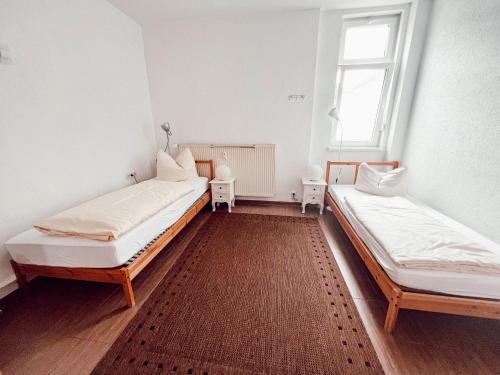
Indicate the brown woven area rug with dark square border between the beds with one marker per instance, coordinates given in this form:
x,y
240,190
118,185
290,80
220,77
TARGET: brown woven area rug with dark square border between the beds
x,y
250,294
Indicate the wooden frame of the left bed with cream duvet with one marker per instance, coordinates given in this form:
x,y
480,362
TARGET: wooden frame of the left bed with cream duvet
x,y
123,274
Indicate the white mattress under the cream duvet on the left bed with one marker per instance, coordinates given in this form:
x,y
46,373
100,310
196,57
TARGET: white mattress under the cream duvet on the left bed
x,y
34,247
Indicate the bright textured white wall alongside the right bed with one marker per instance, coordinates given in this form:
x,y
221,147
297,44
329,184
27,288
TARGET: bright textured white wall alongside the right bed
x,y
453,144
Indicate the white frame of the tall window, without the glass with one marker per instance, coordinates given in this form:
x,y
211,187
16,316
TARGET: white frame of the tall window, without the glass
x,y
397,20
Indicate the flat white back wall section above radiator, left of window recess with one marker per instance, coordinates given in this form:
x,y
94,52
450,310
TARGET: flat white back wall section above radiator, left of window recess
x,y
227,80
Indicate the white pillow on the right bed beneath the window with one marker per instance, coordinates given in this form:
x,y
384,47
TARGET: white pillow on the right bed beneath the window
x,y
379,183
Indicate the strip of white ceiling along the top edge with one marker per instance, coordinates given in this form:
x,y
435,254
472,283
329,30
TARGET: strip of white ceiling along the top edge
x,y
149,11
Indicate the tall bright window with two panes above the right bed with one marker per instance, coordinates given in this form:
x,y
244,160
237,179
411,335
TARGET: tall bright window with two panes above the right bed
x,y
365,79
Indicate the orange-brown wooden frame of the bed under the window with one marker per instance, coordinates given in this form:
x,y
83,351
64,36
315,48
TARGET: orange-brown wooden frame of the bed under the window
x,y
400,297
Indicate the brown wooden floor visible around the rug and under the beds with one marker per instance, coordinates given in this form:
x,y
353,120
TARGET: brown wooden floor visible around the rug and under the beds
x,y
66,326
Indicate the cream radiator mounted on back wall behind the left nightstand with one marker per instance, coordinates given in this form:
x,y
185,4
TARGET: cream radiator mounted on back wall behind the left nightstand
x,y
252,165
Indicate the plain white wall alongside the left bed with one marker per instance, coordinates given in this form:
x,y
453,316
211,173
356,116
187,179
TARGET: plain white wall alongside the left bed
x,y
75,113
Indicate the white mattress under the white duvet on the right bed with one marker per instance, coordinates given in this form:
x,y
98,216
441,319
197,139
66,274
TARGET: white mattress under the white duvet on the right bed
x,y
455,283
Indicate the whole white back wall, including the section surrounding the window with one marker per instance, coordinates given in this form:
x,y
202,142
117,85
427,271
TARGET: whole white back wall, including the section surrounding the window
x,y
227,80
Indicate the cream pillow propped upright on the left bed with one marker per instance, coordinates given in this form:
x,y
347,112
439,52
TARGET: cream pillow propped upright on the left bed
x,y
180,169
